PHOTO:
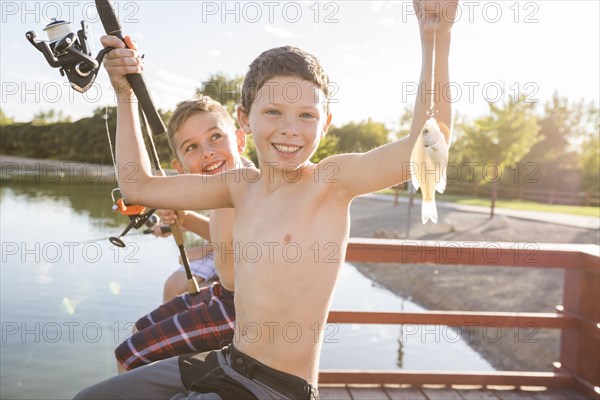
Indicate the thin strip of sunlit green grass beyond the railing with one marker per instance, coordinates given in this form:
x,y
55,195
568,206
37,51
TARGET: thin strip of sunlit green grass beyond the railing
x,y
513,204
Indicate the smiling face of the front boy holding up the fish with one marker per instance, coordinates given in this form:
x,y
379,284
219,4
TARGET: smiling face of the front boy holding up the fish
x,y
287,120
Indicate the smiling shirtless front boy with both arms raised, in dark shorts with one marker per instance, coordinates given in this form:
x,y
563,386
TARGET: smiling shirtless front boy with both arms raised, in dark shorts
x,y
291,225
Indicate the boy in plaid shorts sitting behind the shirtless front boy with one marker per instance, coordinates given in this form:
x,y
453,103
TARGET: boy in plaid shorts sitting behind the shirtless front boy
x,y
204,140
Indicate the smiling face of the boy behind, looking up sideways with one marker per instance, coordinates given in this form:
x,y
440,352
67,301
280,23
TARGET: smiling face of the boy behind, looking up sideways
x,y
206,144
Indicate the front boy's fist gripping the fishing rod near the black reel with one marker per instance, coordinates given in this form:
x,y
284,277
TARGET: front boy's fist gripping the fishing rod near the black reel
x,y
121,61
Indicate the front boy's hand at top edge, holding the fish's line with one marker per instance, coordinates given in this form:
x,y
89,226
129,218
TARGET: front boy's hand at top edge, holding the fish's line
x,y
435,15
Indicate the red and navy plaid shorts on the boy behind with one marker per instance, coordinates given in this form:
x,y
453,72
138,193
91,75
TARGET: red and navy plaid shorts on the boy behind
x,y
186,324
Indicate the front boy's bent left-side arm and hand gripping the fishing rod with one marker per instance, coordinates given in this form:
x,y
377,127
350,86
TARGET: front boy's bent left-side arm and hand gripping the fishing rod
x,y
136,181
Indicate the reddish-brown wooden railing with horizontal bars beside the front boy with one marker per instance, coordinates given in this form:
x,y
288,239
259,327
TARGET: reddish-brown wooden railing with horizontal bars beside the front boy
x,y
578,317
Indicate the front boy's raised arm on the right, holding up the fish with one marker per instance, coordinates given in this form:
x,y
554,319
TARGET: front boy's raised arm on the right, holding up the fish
x,y
389,164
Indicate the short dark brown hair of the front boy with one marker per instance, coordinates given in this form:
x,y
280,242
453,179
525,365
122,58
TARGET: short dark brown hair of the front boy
x,y
283,61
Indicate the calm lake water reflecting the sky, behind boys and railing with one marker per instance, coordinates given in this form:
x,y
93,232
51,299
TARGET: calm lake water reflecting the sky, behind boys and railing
x,y
68,298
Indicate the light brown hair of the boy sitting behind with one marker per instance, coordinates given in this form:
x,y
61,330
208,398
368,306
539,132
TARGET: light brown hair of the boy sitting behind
x,y
187,108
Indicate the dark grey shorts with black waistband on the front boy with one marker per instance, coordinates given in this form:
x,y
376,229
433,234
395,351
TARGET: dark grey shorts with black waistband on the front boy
x,y
217,375
